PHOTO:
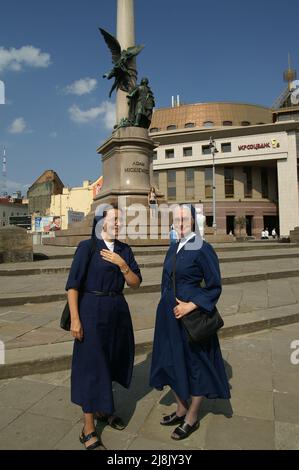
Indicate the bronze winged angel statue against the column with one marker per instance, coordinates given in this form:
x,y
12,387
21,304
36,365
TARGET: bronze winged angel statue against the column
x,y
124,74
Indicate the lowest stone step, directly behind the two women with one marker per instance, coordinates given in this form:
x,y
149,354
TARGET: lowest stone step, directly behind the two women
x,y
57,356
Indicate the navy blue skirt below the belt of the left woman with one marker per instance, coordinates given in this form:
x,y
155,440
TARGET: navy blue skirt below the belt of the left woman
x,y
105,355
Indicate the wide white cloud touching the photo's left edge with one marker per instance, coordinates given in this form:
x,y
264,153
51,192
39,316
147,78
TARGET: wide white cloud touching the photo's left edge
x,y
16,59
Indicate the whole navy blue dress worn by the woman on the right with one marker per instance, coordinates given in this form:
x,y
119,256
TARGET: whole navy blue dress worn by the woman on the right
x,y
189,369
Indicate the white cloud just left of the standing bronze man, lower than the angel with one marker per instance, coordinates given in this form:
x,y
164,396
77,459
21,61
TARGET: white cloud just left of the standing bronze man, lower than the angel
x,y
106,111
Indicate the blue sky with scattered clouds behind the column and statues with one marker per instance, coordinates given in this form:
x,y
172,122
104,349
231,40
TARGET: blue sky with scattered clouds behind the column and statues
x,y
52,58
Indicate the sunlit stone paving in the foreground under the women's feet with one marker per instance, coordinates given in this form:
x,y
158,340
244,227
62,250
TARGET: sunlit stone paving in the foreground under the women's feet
x,y
37,413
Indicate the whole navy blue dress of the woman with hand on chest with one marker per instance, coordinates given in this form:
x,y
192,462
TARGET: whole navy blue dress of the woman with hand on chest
x,y
106,353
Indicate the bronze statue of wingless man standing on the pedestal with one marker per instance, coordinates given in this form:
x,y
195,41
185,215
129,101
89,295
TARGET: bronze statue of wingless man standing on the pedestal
x,y
142,102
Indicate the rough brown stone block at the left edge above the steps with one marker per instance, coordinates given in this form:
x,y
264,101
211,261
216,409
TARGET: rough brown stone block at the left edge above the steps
x,y
15,244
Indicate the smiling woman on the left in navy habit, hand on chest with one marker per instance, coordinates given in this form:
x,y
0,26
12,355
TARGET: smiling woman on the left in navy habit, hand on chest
x,y
101,321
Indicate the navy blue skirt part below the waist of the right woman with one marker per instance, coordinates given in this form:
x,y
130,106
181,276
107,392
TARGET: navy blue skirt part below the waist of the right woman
x,y
189,369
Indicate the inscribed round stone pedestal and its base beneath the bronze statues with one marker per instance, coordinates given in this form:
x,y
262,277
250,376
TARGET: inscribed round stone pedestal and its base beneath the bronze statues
x,y
126,161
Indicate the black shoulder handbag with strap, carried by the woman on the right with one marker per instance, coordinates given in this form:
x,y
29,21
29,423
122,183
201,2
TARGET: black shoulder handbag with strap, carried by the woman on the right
x,y
199,324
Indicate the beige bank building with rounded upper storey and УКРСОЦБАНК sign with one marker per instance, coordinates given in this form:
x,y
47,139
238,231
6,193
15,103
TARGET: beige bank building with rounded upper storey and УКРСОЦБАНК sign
x,y
256,164
